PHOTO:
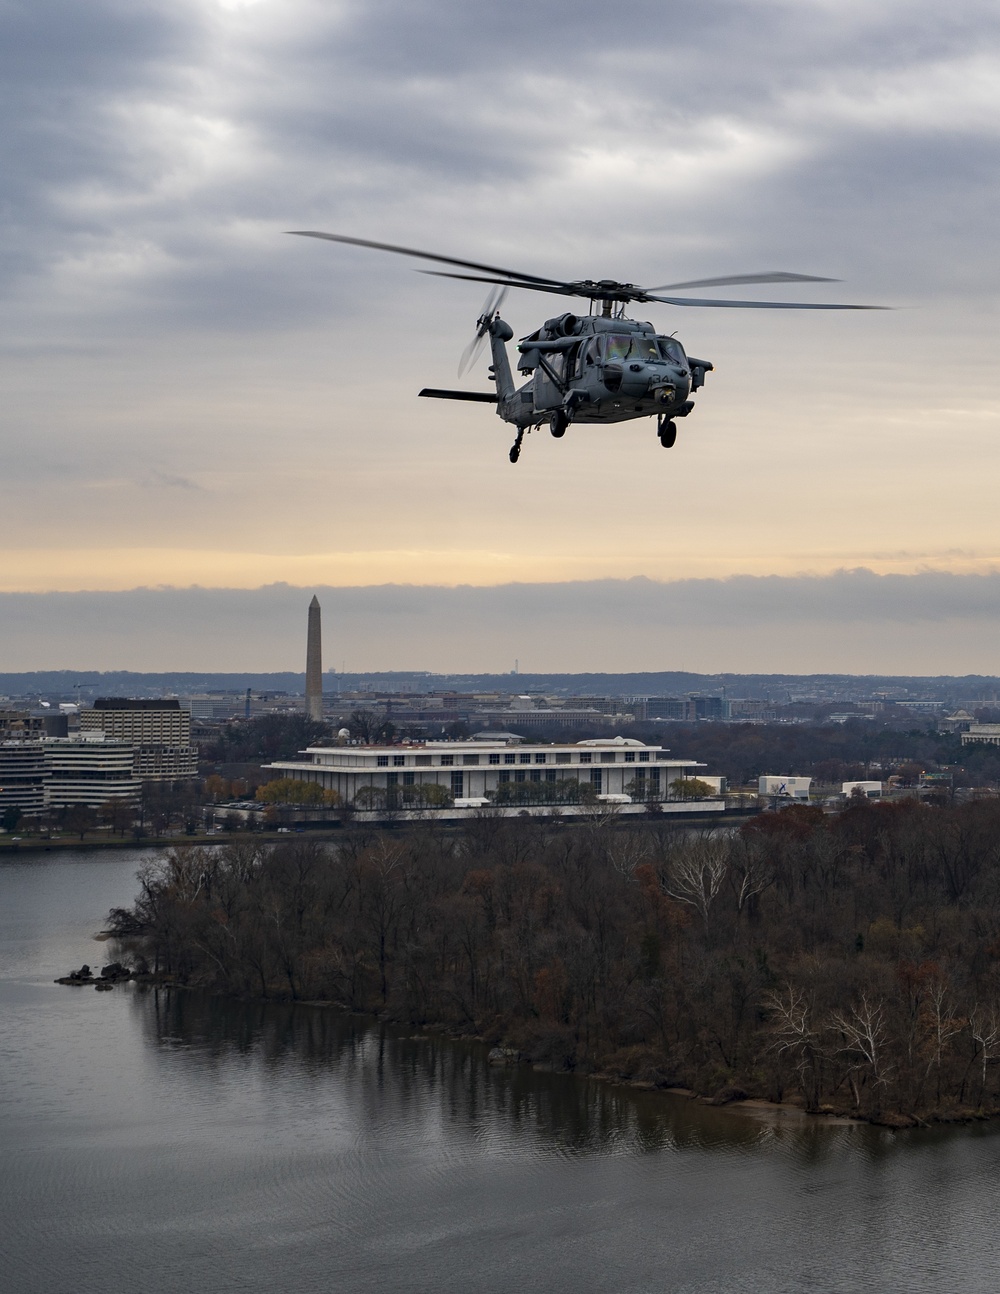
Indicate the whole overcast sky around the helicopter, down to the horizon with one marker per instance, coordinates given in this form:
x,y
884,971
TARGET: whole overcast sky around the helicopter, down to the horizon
x,y
190,397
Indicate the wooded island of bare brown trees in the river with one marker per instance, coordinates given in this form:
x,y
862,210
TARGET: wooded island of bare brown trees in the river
x,y
847,962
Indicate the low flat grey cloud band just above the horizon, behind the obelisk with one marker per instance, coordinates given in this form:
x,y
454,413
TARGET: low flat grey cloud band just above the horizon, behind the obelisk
x,y
853,622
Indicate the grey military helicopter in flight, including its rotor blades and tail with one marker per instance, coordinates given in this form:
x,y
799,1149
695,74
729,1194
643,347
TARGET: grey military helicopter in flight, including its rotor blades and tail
x,y
596,368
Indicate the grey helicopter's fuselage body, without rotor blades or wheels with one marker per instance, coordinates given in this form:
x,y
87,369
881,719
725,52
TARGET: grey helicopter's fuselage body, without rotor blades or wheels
x,y
593,369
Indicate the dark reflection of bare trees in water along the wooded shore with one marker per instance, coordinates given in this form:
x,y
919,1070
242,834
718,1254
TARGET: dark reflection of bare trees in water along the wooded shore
x,y
397,1077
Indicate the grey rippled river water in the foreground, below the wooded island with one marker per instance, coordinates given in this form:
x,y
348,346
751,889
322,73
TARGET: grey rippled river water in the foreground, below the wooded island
x,y
158,1143
